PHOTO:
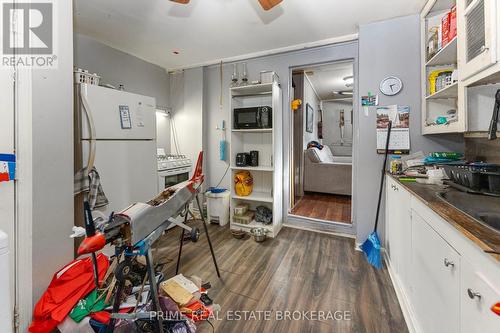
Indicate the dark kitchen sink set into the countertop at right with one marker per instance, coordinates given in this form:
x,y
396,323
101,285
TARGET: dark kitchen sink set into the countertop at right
x,y
482,208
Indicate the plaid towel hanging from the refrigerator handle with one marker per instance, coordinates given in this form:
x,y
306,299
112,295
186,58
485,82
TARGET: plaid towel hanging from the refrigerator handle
x,y
91,185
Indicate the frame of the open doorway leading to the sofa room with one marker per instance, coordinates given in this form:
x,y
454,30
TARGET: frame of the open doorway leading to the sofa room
x,y
306,223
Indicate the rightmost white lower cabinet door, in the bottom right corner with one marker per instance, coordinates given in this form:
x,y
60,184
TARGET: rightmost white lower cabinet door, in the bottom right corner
x,y
477,295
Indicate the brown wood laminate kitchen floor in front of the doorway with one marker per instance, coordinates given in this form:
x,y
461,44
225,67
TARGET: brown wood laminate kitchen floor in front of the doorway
x,y
297,271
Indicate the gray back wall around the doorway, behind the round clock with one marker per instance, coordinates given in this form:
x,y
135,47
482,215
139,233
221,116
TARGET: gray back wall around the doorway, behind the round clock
x,y
385,48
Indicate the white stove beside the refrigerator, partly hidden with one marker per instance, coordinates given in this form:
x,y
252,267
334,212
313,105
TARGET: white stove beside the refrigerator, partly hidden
x,y
172,169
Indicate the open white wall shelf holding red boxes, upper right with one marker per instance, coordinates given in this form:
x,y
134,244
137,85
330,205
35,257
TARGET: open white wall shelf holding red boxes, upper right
x,y
449,98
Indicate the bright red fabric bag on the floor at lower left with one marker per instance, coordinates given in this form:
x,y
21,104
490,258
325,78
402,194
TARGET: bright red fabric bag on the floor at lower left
x,y
68,286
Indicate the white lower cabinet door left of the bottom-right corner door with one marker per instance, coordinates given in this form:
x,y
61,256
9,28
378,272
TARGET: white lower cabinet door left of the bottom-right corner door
x,y
435,279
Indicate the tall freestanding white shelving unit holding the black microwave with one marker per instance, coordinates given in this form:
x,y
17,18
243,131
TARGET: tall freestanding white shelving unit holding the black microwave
x,y
268,176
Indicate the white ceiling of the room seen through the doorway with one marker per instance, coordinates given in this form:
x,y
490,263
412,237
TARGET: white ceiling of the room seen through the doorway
x,y
328,78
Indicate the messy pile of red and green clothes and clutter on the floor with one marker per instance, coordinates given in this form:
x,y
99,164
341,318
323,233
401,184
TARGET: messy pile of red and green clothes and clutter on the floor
x,y
73,304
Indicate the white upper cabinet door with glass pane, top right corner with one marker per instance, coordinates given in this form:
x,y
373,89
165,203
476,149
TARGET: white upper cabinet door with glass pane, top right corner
x,y
477,27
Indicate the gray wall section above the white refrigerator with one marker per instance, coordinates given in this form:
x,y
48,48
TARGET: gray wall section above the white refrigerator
x,y
116,67
